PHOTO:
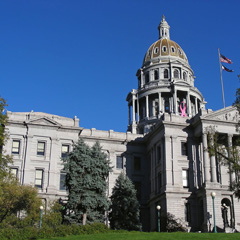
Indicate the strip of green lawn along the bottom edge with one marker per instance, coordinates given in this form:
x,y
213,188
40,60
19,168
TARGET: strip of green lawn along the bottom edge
x,y
153,236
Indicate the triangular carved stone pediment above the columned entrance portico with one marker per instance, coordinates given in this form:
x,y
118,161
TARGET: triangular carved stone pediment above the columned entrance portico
x,y
229,114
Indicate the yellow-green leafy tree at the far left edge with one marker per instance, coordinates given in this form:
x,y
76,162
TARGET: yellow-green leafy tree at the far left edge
x,y
14,197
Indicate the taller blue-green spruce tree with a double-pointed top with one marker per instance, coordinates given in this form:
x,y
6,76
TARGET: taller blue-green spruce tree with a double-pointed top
x,y
87,170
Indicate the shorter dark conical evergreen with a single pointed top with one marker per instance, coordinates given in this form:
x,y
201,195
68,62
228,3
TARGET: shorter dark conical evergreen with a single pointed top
x,y
124,209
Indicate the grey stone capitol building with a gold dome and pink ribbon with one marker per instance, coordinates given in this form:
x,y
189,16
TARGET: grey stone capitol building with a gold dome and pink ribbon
x,y
164,150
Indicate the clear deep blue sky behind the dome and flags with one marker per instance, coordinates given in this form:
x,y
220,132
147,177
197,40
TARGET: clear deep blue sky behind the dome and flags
x,y
74,57
